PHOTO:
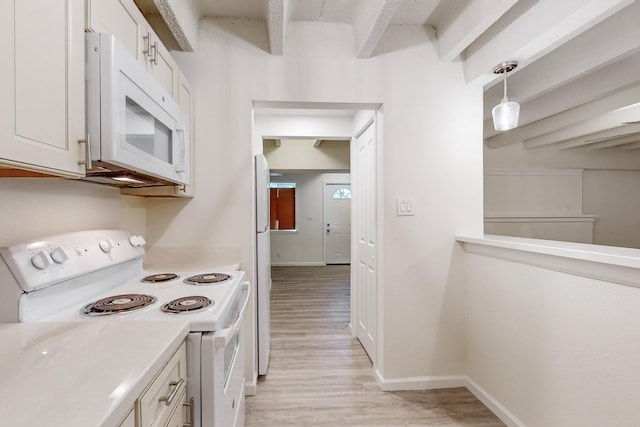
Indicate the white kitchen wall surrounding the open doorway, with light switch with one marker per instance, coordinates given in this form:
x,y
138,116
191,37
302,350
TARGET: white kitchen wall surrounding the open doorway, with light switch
x,y
427,155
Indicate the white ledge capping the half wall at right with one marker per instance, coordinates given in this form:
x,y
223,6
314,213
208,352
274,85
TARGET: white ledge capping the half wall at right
x,y
606,263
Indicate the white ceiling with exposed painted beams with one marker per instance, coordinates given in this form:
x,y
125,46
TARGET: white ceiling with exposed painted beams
x,y
579,61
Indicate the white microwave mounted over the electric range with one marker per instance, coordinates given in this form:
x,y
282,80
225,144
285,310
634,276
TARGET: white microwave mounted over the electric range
x,y
137,134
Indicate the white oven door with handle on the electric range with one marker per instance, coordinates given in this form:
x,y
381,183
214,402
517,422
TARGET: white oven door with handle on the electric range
x,y
222,372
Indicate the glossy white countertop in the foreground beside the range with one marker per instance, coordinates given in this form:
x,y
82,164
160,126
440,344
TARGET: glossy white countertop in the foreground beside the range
x,y
80,373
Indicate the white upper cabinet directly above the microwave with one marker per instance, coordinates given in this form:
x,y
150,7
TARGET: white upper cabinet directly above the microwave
x,y
123,19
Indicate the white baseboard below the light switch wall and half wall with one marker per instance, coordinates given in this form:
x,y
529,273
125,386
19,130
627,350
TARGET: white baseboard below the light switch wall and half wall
x,y
450,381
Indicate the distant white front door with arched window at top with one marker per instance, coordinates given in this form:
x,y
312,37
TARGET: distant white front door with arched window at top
x,y
337,219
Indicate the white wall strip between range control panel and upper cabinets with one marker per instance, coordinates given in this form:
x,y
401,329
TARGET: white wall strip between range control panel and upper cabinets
x,y
39,207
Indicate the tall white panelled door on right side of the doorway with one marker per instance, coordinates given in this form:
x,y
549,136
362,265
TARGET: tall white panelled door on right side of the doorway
x,y
364,180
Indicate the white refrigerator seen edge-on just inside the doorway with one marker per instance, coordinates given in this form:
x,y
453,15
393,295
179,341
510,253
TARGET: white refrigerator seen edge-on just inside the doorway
x,y
263,263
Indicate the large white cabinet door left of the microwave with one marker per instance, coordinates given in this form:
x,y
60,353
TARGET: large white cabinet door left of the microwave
x,y
42,85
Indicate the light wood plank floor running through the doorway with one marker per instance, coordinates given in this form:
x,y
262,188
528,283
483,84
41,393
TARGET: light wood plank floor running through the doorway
x,y
319,375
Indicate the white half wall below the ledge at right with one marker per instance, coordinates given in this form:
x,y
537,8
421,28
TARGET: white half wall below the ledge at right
x,y
554,349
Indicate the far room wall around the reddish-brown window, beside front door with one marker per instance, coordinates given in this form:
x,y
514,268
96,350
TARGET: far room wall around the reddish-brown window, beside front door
x,y
305,246
